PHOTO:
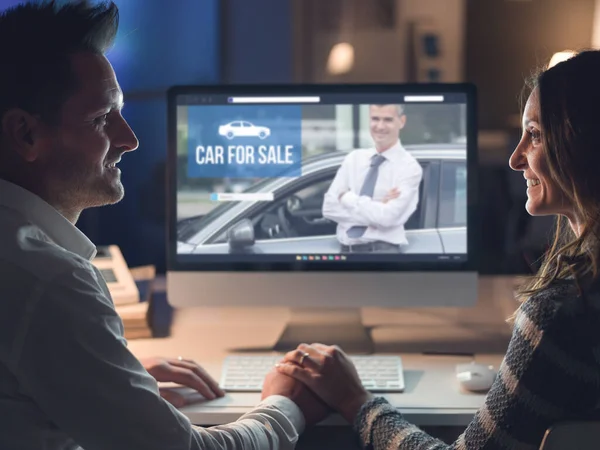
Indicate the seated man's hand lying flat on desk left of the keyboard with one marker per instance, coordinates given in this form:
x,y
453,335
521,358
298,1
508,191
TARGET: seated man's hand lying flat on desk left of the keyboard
x,y
184,372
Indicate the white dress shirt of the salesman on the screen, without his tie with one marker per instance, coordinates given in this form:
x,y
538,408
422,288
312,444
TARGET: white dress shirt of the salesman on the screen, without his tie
x,y
384,221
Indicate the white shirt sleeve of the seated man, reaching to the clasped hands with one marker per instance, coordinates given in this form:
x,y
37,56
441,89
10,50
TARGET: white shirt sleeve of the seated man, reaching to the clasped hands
x,y
74,363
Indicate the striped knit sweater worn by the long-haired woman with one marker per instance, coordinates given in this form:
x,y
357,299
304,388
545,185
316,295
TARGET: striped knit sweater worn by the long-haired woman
x,y
550,374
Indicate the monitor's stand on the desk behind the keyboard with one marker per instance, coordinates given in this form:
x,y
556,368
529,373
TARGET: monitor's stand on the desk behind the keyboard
x,y
331,326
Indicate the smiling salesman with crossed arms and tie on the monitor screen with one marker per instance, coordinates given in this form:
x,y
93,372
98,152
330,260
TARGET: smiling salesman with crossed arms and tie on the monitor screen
x,y
375,191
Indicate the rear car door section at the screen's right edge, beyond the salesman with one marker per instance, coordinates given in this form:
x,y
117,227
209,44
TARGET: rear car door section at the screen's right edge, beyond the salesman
x,y
452,210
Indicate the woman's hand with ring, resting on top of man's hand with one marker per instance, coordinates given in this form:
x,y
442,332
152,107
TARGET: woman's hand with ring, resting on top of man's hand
x,y
330,374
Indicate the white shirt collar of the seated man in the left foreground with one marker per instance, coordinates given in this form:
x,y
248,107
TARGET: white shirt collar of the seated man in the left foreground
x,y
55,225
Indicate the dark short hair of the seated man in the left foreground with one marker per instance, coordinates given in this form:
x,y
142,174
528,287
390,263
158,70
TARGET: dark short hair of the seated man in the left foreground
x,y
36,43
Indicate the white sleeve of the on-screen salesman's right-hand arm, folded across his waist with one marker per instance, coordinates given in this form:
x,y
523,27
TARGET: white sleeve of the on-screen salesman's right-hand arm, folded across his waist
x,y
393,213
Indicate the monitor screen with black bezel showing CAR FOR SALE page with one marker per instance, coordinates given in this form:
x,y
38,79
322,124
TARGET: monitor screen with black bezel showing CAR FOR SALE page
x,y
314,177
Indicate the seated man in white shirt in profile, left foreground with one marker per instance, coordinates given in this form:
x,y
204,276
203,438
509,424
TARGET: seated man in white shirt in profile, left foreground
x,y
67,378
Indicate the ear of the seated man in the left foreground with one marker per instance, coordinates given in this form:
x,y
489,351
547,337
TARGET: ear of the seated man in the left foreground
x,y
20,129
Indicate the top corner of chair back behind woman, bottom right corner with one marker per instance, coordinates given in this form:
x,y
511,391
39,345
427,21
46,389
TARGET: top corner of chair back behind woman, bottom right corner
x,y
583,435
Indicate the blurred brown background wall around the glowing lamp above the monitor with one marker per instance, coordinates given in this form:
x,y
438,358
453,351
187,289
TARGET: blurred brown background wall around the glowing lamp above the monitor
x,y
382,54
